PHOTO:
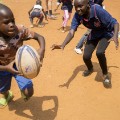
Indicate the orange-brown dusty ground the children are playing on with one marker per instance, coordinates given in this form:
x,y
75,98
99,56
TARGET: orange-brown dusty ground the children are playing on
x,y
85,98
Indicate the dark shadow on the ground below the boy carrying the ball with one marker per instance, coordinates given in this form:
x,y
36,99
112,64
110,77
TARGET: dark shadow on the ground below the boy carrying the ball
x,y
40,108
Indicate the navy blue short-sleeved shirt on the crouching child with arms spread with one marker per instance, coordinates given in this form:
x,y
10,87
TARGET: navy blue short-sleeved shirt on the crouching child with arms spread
x,y
100,22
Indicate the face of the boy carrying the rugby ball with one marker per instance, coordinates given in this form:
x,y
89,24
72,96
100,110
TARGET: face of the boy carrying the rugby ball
x,y
7,23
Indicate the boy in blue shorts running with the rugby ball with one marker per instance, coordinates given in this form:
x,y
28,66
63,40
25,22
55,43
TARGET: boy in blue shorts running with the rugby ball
x,y
11,38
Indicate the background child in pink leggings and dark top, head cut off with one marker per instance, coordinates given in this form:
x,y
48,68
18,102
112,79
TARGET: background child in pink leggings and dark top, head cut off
x,y
67,8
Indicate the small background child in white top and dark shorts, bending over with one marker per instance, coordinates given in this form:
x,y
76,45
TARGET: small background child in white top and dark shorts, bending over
x,y
37,11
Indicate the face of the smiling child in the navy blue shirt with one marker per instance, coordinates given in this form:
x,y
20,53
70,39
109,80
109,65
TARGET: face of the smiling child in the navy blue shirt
x,y
81,6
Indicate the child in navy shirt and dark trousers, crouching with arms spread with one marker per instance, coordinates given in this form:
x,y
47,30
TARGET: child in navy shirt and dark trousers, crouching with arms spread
x,y
102,30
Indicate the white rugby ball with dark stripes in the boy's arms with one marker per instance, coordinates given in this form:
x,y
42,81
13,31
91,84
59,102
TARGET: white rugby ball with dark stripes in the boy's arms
x,y
27,61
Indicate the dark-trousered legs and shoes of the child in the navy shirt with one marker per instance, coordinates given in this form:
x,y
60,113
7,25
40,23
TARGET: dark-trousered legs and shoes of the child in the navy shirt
x,y
102,46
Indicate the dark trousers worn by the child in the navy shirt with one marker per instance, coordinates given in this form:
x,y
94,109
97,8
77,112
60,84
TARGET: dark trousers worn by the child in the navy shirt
x,y
90,46
